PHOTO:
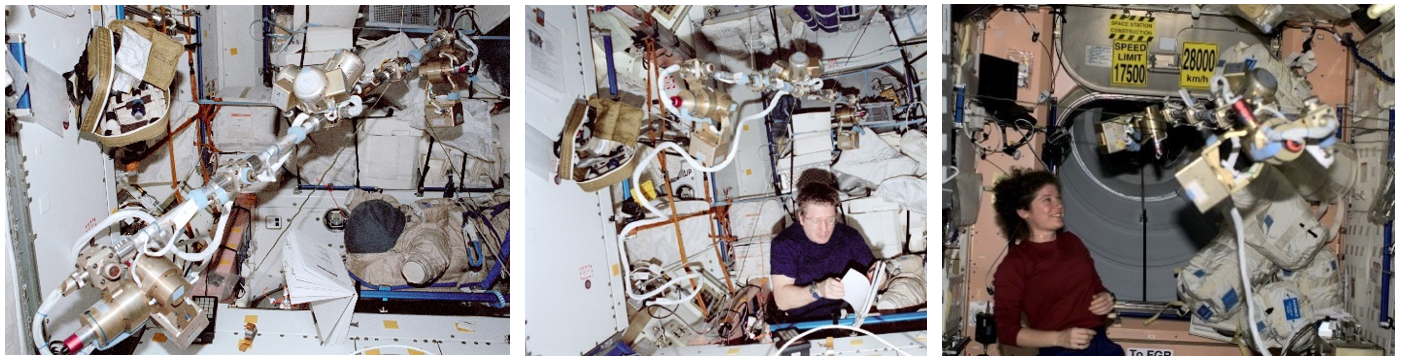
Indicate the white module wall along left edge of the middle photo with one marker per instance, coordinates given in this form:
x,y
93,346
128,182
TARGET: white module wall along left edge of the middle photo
x,y
569,245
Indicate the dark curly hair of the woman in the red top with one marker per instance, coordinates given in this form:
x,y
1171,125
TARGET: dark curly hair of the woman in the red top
x,y
1016,193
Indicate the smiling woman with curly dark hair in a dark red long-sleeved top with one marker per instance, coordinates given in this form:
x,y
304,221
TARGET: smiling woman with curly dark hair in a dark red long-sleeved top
x,y
1048,276
